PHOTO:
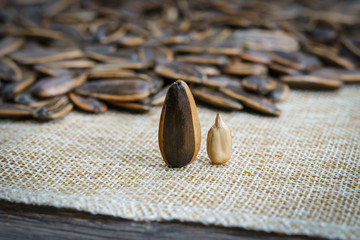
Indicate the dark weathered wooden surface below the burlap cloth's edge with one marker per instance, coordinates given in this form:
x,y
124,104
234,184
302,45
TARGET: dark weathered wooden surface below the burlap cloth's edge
x,y
20,221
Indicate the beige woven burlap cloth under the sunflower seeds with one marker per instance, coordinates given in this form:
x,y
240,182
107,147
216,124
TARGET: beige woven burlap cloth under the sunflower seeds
x,y
297,174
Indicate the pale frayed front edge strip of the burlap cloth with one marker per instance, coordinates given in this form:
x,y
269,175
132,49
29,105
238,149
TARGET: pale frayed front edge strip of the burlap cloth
x,y
156,212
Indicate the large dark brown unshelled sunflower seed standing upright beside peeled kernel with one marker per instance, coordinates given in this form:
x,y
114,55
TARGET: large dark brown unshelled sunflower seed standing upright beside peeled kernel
x,y
179,127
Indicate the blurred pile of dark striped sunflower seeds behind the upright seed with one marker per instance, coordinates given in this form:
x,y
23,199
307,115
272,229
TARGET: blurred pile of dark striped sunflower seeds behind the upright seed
x,y
57,54
